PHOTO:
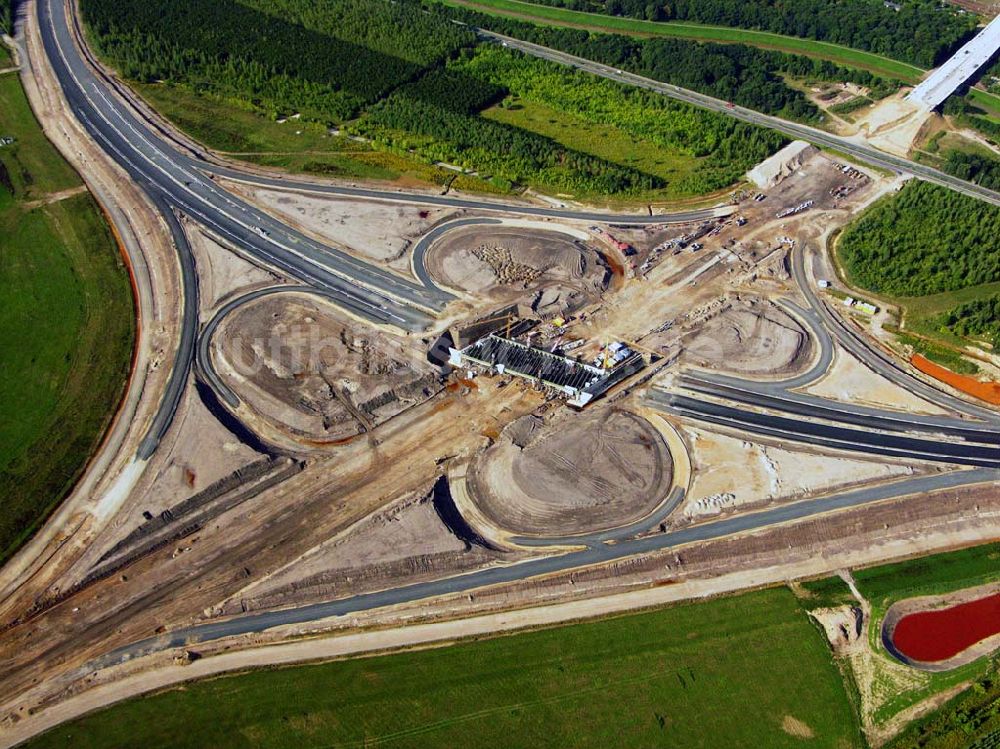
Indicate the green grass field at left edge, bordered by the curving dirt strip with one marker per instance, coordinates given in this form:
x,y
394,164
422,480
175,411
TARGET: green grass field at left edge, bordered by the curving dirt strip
x,y
66,323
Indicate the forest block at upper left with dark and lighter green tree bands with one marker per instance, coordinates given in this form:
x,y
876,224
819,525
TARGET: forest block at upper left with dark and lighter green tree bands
x,y
267,58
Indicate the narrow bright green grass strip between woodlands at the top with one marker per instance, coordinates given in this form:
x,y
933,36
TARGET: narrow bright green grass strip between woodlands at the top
x,y
835,53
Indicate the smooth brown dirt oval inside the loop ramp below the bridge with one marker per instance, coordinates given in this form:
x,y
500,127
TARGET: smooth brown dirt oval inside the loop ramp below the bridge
x,y
576,474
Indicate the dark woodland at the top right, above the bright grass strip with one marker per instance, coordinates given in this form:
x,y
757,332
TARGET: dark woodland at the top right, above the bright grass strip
x,y
920,32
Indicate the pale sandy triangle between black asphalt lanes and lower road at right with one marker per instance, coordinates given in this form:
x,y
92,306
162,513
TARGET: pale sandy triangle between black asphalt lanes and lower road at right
x,y
733,474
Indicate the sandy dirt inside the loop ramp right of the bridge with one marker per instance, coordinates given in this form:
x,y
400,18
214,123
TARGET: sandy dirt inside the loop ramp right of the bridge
x,y
749,336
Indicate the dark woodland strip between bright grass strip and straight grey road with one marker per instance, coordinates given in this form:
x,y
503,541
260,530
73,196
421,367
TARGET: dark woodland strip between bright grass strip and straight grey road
x,y
735,72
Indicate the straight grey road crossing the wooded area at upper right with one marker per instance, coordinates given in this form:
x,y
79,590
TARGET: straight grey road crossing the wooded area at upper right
x,y
858,149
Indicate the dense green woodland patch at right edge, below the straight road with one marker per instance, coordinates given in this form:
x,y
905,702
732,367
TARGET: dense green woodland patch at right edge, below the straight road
x,y
925,240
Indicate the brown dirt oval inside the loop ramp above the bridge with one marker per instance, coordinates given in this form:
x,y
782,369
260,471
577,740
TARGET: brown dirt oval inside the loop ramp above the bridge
x,y
550,271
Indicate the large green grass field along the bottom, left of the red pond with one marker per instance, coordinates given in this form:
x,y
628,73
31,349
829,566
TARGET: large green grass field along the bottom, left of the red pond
x,y
742,671
